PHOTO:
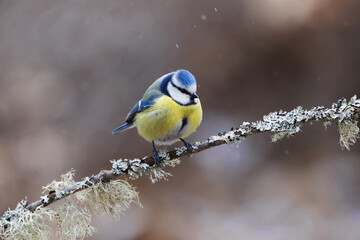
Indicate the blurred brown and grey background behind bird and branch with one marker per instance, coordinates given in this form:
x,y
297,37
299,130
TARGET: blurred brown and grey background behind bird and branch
x,y
71,70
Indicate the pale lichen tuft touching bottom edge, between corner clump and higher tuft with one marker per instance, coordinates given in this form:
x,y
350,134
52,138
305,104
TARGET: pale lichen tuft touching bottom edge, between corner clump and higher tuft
x,y
73,222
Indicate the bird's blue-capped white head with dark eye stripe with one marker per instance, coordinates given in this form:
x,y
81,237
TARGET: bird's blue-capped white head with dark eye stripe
x,y
182,88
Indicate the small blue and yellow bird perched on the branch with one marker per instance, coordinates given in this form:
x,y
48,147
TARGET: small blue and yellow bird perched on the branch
x,y
169,111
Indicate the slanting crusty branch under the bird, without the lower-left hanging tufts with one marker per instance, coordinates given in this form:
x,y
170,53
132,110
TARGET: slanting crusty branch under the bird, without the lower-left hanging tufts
x,y
345,114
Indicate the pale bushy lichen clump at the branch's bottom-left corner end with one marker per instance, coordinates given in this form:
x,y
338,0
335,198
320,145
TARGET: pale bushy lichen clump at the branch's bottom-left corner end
x,y
22,224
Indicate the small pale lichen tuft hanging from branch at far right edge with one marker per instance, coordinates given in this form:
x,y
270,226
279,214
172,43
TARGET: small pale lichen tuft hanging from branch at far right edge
x,y
349,133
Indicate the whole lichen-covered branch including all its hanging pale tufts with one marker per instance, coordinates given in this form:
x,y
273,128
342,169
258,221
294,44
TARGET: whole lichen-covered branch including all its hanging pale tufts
x,y
104,192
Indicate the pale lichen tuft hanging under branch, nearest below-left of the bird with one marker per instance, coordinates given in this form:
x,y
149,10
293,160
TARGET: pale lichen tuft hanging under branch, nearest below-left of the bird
x,y
113,197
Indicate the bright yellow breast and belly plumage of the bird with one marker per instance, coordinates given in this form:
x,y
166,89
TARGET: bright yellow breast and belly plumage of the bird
x,y
161,122
